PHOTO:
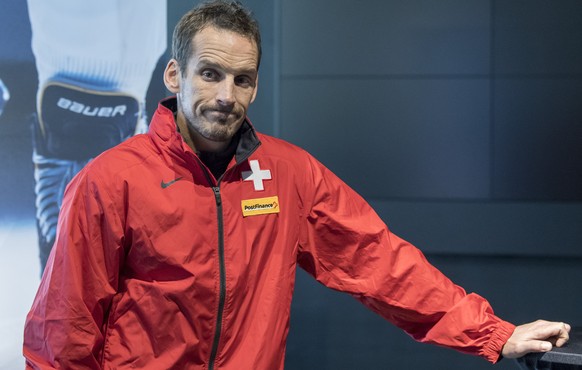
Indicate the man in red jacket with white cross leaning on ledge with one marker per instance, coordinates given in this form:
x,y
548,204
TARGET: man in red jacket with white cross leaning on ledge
x,y
178,249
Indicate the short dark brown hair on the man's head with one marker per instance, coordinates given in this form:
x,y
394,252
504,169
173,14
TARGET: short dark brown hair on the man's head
x,y
224,15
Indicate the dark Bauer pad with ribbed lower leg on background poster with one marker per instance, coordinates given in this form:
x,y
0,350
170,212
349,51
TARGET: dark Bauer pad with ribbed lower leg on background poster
x,y
74,124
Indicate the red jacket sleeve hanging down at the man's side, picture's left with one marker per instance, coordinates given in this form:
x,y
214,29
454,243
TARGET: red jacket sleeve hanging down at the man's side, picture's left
x,y
65,326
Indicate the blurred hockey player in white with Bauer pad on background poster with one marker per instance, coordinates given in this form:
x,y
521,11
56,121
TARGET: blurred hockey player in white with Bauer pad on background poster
x,y
85,53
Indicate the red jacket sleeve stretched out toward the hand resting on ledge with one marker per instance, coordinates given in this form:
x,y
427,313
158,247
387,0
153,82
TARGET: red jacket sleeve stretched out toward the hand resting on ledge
x,y
347,247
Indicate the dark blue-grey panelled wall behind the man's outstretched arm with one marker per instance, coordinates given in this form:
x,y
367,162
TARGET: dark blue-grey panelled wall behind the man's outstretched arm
x,y
460,121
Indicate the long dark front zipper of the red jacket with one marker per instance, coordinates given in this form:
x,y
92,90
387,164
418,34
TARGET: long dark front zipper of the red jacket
x,y
222,272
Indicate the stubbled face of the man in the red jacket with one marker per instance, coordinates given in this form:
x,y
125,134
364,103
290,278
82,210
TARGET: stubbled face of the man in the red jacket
x,y
217,86
